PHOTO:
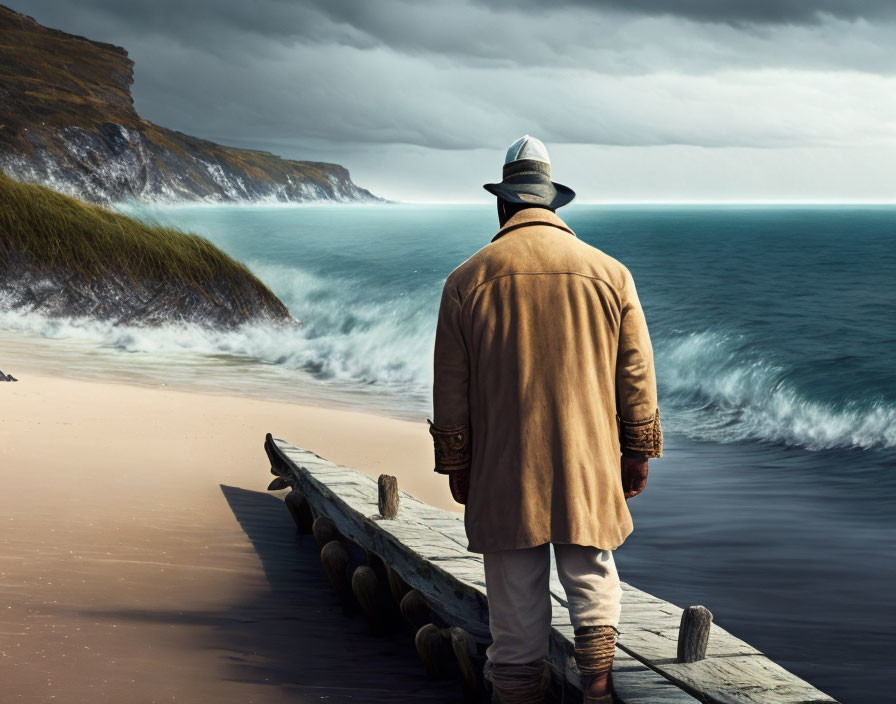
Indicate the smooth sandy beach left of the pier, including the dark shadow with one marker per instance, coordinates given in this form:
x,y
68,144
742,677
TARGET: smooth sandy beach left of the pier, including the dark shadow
x,y
142,559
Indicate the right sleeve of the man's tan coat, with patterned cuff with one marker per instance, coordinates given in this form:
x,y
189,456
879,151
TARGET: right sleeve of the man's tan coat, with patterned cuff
x,y
638,414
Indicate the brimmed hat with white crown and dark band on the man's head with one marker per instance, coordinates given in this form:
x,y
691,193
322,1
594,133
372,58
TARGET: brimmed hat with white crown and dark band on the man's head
x,y
527,177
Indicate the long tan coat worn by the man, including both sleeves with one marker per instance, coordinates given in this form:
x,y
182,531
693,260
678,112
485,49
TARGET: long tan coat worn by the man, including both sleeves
x,y
543,374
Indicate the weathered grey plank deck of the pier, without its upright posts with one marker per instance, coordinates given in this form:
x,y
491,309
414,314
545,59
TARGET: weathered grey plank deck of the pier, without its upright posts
x,y
426,547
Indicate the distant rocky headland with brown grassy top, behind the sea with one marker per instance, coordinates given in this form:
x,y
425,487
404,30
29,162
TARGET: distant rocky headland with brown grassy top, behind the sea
x,y
67,119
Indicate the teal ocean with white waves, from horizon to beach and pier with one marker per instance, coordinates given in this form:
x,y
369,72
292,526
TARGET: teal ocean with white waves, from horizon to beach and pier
x,y
775,341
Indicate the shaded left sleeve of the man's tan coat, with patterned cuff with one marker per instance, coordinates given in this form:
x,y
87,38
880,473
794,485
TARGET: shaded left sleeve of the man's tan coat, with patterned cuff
x,y
450,428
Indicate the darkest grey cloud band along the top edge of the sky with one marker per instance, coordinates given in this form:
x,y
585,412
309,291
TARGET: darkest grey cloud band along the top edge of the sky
x,y
617,36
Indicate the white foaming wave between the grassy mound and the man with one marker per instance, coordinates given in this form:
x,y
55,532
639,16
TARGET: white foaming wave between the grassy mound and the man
x,y
343,338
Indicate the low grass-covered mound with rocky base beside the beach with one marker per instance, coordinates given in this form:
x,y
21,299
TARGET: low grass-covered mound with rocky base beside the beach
x,y
60,256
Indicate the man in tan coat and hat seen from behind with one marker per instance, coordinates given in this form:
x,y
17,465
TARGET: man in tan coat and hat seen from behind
x,y
545,414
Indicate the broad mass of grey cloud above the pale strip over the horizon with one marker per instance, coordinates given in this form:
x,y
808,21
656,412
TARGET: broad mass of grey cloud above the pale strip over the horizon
x,y
455,76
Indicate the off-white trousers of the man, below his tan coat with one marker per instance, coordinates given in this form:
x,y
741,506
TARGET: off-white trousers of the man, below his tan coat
x,y
519,601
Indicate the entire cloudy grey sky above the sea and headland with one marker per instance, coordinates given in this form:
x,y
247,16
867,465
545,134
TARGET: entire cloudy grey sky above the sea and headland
x,y
637,100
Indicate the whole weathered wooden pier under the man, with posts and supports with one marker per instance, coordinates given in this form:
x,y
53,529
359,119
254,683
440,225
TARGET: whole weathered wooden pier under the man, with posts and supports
x,y
416,554
